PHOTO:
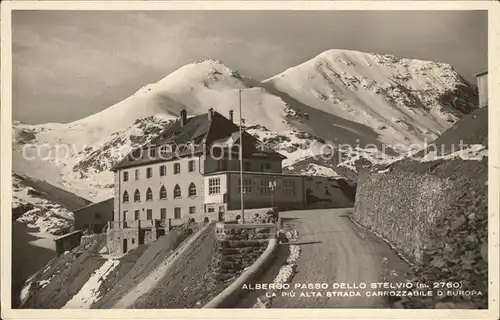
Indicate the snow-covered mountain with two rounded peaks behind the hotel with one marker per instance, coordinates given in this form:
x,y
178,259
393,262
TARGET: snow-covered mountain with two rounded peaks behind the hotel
x,y
338,97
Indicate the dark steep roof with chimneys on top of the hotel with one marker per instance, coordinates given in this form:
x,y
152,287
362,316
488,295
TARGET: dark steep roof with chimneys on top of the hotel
x,y
196,137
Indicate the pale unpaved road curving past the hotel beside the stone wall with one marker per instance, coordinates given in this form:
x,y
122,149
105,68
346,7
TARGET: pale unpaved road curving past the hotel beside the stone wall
x,y
335,250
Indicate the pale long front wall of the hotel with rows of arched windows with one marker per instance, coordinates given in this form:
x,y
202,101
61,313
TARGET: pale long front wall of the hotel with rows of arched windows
x,y
161,190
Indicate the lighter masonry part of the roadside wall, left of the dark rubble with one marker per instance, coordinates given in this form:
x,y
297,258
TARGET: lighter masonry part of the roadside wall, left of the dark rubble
x,y
402,207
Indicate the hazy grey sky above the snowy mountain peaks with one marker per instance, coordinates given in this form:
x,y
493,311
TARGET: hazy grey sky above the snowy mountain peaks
x,y
70,64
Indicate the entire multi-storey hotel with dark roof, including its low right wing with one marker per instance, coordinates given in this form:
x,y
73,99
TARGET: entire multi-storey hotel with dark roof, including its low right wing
x,y
191,171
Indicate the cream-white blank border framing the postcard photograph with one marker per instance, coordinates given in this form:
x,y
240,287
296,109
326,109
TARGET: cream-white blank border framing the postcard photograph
x,y
6,160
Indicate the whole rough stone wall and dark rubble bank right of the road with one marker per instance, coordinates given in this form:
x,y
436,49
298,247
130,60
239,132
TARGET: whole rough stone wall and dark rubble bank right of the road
x,y
435,214
